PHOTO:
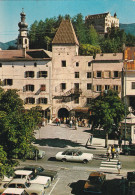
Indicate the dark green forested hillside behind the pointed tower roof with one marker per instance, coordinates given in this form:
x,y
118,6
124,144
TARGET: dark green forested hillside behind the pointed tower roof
x,y
41,34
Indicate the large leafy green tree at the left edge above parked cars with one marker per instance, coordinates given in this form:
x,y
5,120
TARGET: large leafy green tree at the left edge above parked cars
x,y
16,128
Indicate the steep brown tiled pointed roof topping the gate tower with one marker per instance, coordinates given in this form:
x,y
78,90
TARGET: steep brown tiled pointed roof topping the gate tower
x,y
65,34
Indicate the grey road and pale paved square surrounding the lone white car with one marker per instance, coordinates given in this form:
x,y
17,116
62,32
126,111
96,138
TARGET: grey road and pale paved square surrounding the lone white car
x,y
71,175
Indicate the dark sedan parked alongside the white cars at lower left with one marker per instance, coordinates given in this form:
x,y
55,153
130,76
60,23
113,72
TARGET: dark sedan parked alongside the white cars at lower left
x,y
39,170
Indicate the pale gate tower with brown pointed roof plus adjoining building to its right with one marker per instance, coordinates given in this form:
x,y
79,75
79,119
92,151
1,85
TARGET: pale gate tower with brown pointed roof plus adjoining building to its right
x,y
78,79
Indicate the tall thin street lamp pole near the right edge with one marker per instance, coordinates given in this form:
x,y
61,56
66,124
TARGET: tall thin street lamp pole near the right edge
x,y
126,98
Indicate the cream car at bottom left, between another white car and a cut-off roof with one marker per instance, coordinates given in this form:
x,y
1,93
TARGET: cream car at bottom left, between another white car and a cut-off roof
x,y
35,189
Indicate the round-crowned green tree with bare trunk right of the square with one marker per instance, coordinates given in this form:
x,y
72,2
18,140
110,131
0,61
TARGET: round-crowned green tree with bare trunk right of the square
x,y
107,112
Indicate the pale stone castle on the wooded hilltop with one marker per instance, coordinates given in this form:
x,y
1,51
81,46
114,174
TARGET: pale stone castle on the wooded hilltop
x,y
102,22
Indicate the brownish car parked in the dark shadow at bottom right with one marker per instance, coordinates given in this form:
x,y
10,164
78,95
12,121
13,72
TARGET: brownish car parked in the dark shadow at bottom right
x,y
95,182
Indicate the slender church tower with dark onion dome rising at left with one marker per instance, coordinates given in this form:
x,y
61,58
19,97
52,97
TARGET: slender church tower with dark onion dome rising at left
x,y
23,41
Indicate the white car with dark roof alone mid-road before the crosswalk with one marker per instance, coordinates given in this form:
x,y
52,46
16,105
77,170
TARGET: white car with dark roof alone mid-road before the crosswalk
x,y
74,155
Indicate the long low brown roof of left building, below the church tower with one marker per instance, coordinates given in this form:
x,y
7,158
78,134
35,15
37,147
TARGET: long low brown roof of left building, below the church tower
x,y
17,55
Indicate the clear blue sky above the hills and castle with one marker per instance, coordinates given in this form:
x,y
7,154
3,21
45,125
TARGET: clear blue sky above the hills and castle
x,y
41,9
